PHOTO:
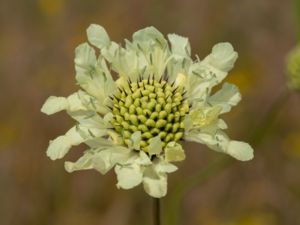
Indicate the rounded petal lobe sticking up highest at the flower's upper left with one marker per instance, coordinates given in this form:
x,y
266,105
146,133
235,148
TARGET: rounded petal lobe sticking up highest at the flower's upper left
x,y
98,36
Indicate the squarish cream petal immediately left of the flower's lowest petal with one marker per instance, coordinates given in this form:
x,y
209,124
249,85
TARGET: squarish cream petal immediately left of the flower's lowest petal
x,y
128,176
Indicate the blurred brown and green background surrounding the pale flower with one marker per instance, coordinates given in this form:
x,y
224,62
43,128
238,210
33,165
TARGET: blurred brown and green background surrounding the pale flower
x,y
37,42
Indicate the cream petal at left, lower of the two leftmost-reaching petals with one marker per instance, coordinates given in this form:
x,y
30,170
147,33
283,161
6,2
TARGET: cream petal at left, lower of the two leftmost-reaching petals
x,y
60,146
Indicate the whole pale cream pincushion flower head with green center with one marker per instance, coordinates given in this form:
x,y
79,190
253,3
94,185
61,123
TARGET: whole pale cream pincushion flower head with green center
x,y
136,123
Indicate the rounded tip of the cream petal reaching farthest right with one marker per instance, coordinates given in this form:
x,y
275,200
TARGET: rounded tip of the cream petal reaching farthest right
x,y
240,150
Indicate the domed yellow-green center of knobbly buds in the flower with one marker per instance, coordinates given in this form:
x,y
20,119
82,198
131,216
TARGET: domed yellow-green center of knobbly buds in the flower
x,y
151,107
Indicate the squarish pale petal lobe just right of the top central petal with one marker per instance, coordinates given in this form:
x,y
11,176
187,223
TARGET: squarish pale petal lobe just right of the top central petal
x,y
180,46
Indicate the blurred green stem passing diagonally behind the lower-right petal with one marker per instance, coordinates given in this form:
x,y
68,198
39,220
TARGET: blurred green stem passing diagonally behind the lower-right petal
x,y
223,162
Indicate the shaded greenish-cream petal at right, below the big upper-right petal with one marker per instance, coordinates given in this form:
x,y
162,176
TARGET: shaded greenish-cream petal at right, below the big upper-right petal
x,y
227,97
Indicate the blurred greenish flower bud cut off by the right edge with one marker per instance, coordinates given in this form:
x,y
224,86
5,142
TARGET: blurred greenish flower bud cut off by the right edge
x,y
293,69
